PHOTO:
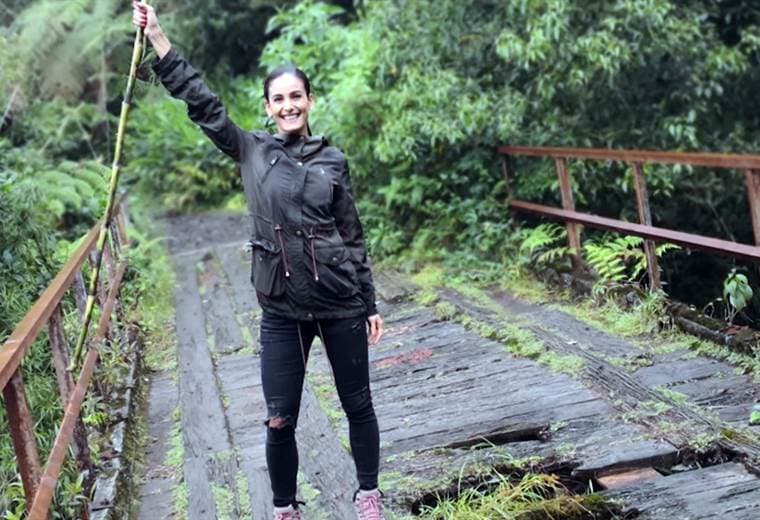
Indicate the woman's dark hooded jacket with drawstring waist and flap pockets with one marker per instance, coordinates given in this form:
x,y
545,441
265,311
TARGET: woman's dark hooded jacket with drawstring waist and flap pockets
x,y
309,256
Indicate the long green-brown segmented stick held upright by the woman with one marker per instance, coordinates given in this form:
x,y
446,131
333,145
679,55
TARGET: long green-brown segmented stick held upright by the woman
x,y
137,52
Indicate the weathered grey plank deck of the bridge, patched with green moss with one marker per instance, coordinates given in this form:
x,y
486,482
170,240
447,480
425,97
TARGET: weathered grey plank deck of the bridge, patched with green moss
x,y
452,405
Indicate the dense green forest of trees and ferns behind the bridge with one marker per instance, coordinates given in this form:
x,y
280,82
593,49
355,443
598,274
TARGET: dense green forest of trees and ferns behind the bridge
x,y
418,93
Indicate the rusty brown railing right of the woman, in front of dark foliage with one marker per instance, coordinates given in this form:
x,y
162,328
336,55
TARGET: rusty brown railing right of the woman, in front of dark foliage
x,y
636,159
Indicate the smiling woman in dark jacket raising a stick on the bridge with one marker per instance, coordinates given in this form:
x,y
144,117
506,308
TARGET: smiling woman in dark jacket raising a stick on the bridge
x,y
309,266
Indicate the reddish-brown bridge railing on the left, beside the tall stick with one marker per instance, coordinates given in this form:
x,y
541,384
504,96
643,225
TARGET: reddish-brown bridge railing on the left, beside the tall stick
x,y
39,483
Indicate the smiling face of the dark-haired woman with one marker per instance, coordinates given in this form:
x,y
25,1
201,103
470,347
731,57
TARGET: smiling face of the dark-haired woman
x,y
288,104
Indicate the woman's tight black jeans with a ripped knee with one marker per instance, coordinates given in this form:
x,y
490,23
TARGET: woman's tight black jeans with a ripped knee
x,y
285,345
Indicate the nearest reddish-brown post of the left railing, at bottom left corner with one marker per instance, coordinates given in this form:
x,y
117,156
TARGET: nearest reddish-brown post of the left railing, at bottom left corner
x,y
21,425
